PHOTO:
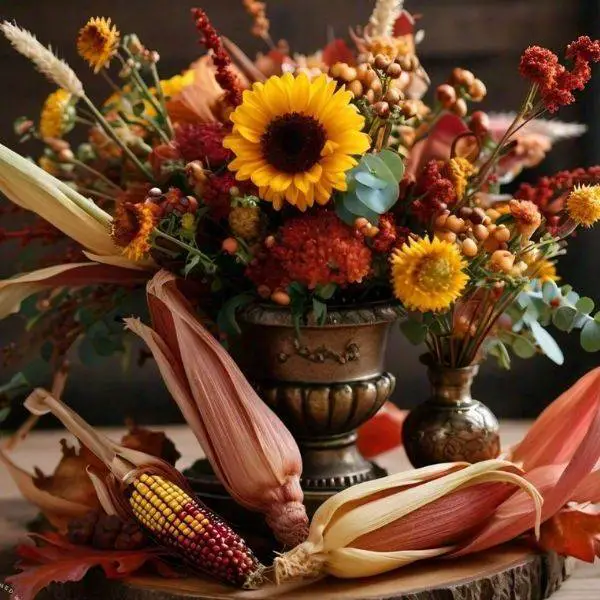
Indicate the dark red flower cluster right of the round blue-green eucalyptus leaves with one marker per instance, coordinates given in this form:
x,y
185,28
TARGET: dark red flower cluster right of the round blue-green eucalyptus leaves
x,y
433,191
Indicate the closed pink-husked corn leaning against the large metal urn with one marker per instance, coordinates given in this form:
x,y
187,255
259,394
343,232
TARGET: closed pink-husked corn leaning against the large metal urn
x,y
253,454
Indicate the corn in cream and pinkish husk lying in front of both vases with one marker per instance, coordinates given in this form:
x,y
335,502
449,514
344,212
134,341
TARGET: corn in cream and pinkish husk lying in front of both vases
x,y
381,525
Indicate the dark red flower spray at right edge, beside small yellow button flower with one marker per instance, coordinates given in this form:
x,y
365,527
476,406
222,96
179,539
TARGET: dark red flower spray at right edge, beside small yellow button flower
x,y
549,193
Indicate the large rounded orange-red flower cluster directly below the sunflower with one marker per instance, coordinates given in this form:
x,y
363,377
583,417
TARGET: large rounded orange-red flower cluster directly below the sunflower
x,y
314,249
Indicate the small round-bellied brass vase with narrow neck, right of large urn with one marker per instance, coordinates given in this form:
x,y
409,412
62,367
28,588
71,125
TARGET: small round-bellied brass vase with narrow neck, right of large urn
x,y
451,425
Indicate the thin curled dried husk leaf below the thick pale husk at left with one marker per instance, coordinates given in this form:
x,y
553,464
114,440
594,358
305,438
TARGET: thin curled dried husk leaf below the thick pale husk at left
x,y
17,289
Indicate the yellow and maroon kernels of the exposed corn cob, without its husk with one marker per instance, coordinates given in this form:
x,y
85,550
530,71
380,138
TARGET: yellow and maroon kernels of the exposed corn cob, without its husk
x,y
183,524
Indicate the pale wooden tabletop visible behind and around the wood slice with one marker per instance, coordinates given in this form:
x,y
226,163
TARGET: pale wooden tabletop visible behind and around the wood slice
x,y
42,449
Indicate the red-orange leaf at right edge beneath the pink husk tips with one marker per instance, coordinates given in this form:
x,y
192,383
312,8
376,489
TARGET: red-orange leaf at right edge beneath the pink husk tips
x,y
574,531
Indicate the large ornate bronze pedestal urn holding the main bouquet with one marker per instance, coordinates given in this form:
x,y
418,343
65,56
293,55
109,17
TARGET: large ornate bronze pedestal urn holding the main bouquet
x,y
323,381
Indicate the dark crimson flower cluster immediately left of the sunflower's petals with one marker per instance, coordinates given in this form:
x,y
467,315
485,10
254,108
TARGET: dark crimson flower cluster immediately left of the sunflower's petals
x,y
204,142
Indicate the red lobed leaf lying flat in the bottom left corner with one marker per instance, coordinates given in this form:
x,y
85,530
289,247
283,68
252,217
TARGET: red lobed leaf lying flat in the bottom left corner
x,y
59,560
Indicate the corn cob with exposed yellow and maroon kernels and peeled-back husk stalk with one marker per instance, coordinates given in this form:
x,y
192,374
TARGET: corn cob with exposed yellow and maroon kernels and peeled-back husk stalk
x,y
152,491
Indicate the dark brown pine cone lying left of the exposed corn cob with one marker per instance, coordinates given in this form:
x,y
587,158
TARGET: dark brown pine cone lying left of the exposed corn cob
x,y
106,532
